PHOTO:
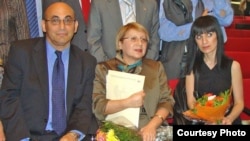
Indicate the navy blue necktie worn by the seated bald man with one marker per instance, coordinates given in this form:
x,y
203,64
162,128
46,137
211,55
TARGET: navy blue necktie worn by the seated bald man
x,y
58,96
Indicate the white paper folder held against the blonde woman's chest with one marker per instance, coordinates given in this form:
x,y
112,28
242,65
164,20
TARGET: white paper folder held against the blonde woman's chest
x,y
121,85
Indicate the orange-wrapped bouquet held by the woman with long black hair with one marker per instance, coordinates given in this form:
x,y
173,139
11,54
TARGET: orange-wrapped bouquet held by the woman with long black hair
x,y
210,108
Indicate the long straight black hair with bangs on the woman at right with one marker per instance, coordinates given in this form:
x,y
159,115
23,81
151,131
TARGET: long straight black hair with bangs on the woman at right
x,y
204,24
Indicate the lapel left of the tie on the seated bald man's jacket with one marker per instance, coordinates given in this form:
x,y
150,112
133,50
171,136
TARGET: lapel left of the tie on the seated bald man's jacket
x,y
40,62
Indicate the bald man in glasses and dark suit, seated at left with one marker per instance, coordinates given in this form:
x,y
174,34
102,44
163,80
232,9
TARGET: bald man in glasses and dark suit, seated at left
x,y
26,105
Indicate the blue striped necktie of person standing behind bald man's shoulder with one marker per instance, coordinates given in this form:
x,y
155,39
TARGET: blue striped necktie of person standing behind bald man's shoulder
x,y
32,18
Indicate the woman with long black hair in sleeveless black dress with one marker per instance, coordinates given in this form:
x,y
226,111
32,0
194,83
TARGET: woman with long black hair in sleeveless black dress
x,y
217,72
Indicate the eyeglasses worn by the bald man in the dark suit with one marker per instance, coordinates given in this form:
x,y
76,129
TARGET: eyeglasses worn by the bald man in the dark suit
x,y
68,20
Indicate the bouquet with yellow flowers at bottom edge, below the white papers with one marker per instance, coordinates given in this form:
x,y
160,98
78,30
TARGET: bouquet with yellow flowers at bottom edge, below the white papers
x,y
110,131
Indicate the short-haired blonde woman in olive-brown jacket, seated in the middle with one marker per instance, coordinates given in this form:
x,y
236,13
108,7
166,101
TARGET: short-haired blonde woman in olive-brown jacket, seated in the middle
x,y
155,100
